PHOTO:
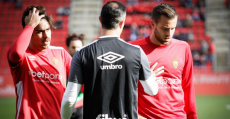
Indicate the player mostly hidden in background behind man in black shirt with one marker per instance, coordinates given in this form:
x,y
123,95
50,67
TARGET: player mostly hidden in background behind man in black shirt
x,y
75,42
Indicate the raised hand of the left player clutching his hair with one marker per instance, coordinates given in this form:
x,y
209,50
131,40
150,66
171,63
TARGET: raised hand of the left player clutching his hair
x,y
33,18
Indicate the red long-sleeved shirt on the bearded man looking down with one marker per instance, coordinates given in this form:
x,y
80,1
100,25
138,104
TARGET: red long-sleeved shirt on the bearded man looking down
x,y
176,97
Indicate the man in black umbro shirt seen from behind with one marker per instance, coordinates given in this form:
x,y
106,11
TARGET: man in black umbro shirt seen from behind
x,y
109,68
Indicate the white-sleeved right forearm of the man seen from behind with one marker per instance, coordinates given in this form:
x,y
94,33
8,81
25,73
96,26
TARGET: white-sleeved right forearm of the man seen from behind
x,y
150,86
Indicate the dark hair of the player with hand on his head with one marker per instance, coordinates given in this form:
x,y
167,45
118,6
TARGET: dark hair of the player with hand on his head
x,y
42,11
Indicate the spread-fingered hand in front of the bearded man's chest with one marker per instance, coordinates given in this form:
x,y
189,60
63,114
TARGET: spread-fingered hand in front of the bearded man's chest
x,y
157,72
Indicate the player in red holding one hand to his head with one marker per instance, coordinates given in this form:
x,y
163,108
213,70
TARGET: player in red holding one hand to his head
x,y
39,70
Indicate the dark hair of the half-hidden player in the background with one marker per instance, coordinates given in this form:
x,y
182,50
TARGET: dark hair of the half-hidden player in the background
x,y
74,36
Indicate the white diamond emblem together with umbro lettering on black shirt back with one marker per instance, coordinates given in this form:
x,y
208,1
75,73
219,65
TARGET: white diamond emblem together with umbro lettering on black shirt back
x,y
110,57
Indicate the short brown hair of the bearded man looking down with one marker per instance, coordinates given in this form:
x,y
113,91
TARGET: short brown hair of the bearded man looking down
x,y
164,9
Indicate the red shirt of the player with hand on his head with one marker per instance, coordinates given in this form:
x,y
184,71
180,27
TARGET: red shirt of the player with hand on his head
x,y
39,78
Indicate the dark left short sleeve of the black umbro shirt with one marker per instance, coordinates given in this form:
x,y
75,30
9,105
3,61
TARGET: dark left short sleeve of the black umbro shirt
x,y
75,74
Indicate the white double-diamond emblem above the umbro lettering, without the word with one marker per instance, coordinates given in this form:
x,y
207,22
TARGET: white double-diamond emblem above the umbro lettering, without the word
x,y
110,57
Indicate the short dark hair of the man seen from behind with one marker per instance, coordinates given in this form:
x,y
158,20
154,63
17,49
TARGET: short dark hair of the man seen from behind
x,y
112,14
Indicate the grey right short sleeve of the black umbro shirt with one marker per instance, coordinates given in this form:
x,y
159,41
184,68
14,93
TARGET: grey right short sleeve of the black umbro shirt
x,y
145,71
